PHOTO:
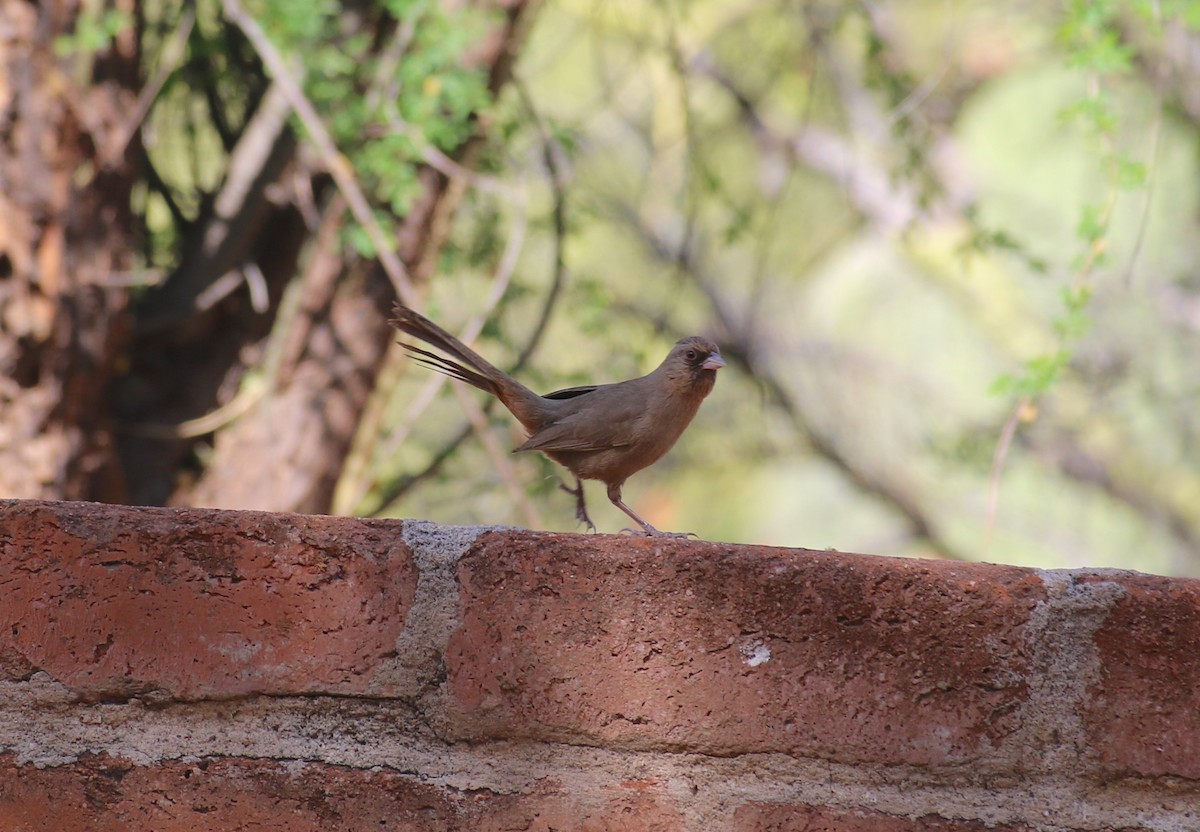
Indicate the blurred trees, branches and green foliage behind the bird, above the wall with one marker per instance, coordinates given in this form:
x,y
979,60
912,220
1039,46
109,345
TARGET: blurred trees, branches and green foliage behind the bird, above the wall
x,y
950,250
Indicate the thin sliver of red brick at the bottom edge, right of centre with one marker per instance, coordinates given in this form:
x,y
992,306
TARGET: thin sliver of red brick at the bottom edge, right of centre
x,y
802,818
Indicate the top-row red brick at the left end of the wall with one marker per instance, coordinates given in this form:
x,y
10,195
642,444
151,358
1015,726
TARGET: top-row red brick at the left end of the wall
x,y
113,601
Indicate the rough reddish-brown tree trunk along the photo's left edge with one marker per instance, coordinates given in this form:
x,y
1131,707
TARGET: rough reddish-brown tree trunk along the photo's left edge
x,y
65,241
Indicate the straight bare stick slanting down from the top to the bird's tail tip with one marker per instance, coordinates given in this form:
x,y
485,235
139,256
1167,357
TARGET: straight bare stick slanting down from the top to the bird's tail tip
x,y
338,166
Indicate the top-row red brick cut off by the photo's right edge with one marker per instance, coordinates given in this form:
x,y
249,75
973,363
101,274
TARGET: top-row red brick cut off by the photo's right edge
x,y
1143,716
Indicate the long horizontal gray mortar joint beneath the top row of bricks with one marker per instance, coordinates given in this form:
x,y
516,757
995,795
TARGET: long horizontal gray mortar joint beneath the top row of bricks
x,y
377,734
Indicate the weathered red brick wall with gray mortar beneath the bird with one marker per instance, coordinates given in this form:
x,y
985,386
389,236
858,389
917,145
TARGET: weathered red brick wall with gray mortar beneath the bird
x,y
224,671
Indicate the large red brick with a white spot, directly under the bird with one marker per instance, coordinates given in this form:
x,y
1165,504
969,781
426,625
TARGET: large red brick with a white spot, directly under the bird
x,y
650,644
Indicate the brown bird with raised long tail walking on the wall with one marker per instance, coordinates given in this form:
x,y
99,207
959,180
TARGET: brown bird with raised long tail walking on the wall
x,y
598,432
